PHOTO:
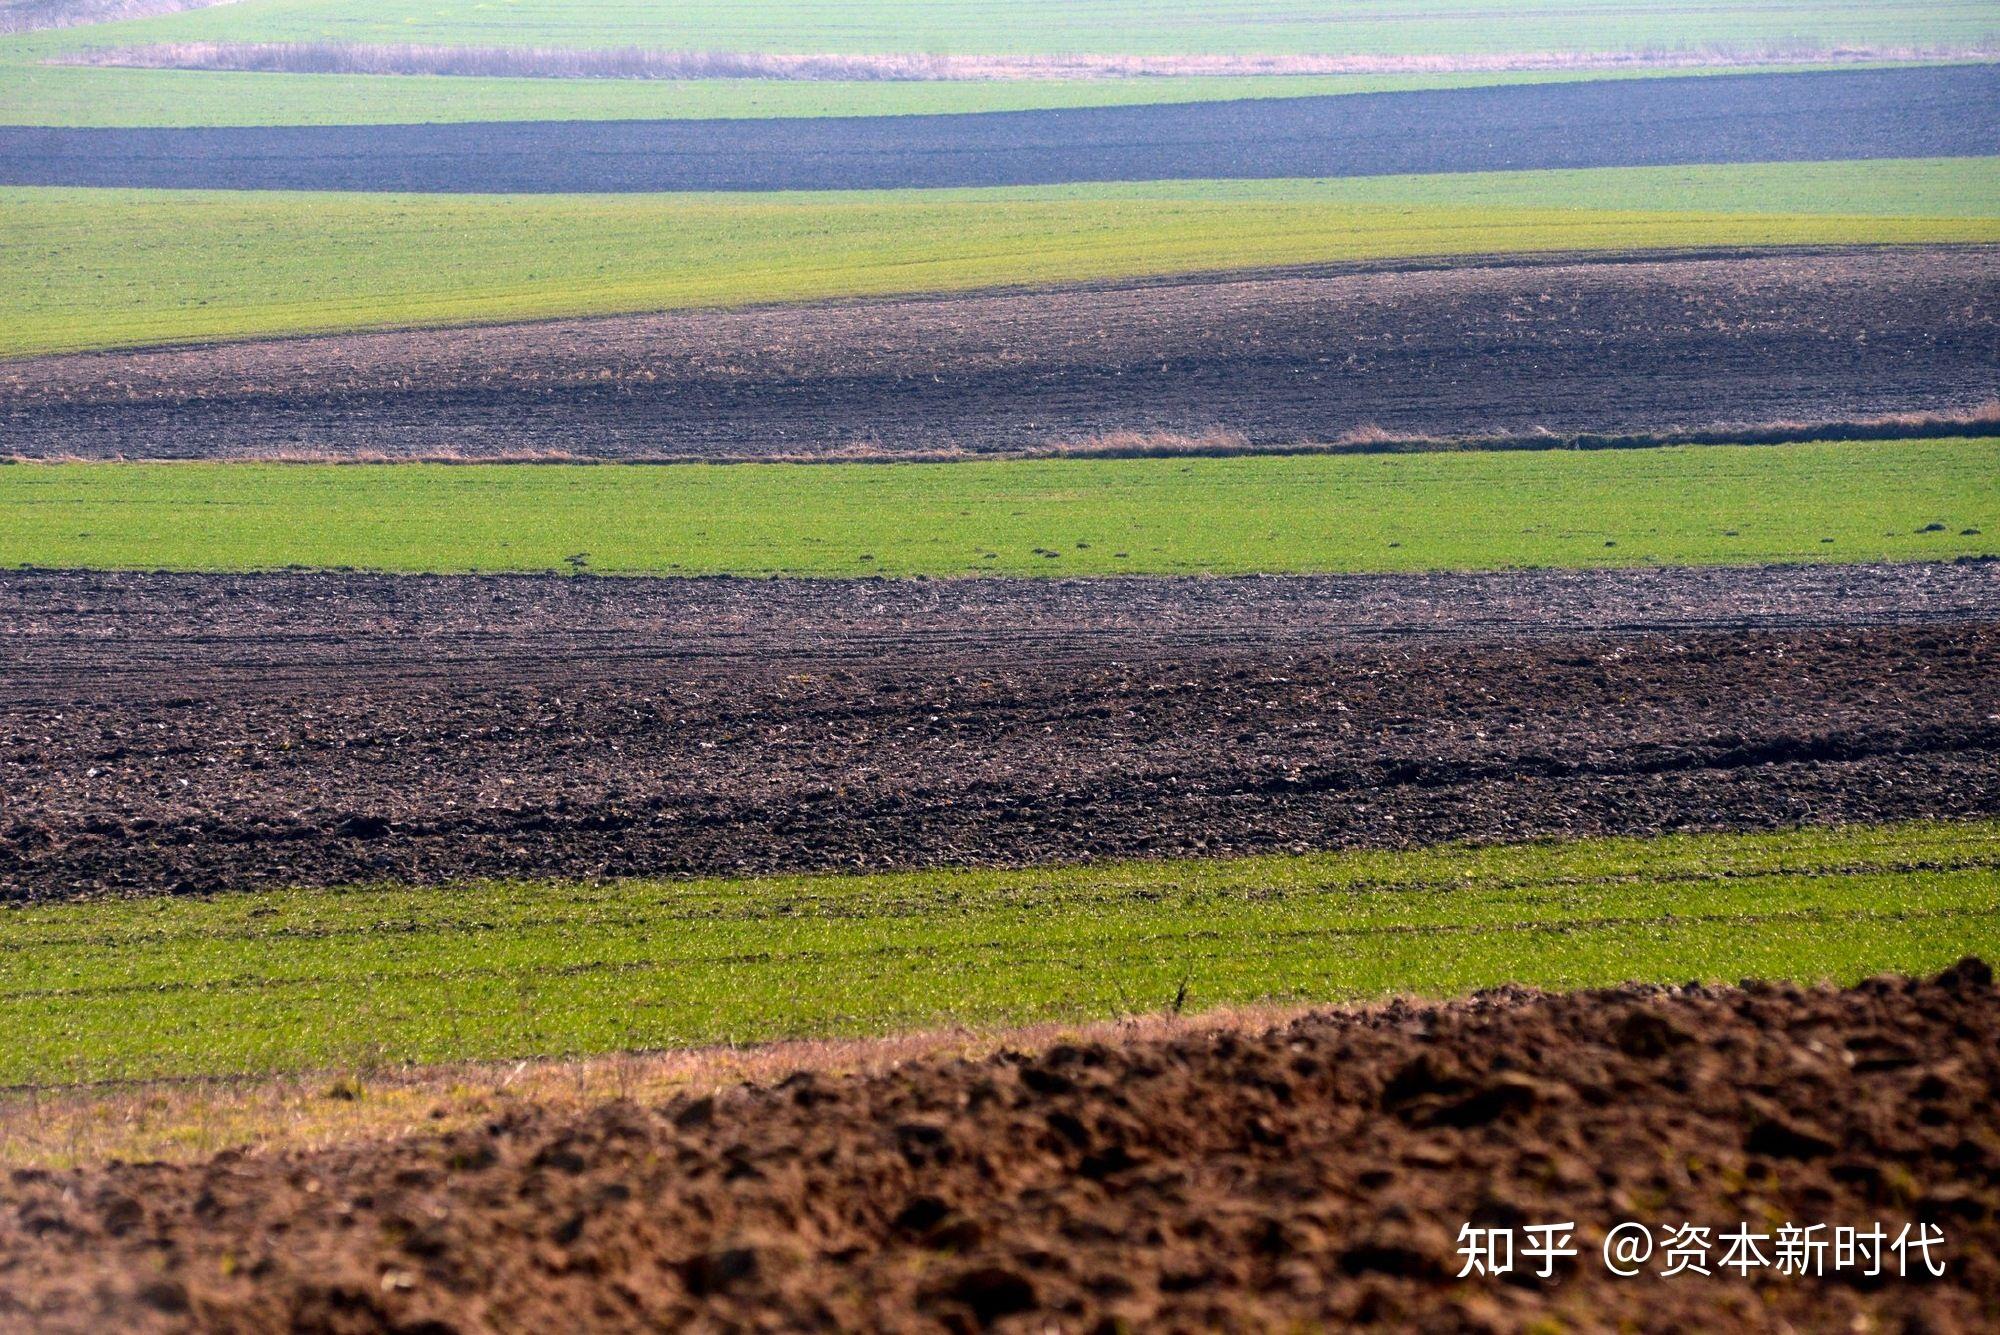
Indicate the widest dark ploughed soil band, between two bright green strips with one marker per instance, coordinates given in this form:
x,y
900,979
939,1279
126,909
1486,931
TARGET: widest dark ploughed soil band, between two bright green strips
x,y
195,732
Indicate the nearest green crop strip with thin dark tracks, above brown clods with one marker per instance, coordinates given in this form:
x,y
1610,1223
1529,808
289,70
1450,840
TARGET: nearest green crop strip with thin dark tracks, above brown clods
x,y
295,980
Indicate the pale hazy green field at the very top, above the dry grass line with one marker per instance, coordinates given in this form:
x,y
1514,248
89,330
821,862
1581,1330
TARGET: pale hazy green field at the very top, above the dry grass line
x,y
1025,27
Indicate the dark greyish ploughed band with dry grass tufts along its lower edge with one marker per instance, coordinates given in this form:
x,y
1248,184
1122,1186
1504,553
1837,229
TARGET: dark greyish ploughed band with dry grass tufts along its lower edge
x,y
1457,351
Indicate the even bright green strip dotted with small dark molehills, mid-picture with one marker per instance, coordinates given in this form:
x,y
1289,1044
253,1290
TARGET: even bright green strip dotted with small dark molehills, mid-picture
x,y
1679,507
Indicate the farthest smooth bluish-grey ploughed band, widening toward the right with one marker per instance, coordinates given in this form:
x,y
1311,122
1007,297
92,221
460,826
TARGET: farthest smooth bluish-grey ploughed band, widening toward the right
x,y
1911,113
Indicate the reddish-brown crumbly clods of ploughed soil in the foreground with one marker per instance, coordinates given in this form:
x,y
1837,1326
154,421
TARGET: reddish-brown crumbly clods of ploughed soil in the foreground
x,y
1315,1174
